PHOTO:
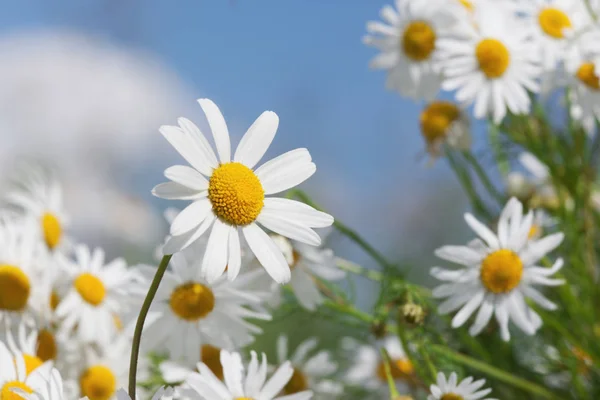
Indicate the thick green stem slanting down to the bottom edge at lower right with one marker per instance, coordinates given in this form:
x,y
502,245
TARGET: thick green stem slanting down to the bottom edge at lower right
x,y
494,372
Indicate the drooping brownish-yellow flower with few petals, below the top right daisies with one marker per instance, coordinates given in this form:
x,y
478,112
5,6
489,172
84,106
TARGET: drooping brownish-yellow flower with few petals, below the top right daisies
x,y
444,122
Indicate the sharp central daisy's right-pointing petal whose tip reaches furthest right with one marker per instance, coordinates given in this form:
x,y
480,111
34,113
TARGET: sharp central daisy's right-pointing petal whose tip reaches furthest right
x,y
298,212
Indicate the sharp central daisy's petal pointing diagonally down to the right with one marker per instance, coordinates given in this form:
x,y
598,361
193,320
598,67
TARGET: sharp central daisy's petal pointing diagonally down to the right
x,y
267,253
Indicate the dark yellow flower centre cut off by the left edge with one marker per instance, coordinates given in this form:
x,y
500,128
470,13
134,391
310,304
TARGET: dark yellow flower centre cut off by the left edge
x,y
14,288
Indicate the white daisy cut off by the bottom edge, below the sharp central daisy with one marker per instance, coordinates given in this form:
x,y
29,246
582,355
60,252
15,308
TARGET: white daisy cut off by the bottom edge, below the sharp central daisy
x,y
242,385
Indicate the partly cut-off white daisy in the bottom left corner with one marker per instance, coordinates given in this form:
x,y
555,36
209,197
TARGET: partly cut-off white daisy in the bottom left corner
x,y
14,375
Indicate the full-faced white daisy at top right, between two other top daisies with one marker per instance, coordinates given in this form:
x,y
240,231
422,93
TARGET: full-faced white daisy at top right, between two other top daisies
x,y
491,63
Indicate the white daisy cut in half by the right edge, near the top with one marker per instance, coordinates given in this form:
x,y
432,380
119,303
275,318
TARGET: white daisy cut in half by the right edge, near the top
x,y
582,64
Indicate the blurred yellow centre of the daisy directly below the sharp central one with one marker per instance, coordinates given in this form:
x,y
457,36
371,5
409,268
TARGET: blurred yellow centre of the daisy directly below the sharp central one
x,y
192,301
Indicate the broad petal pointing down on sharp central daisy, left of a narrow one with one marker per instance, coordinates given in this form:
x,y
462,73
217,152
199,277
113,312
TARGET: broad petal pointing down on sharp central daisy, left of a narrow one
x,y
215,257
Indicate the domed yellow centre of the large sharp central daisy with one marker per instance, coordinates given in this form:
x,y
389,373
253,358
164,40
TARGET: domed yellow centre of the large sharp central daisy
x,y
236,194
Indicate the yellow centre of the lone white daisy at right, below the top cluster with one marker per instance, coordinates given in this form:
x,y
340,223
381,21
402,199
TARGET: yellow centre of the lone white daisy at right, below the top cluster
x,y
501,271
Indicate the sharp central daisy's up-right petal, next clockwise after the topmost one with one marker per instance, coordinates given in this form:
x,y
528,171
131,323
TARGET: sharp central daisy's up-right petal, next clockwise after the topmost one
x,y
257,139
